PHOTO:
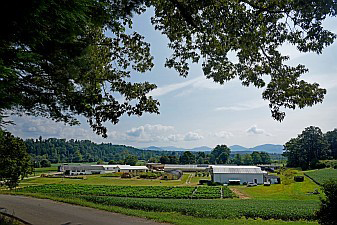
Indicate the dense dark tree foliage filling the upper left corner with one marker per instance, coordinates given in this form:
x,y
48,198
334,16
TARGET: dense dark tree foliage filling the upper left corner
x,y
55,61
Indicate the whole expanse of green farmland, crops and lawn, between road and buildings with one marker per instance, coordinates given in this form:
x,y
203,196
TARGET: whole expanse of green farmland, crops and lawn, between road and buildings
x,y
183,202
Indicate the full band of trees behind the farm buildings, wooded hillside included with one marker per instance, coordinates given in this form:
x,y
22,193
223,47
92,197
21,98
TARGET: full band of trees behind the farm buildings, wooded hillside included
x,y
74,151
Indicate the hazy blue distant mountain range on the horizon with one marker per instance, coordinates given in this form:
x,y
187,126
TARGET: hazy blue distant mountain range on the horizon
x,y
270,148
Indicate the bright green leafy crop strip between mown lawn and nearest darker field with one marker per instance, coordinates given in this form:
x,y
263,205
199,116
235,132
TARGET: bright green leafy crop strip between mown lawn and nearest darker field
x,y
132,191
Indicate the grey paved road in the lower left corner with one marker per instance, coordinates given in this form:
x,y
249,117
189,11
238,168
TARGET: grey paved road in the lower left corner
x,y
47,212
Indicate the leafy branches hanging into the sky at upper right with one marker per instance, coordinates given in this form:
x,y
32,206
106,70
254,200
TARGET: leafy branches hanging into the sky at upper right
x,y
209,31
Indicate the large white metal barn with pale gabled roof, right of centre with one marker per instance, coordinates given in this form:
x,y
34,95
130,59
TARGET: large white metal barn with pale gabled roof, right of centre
x,y
237,174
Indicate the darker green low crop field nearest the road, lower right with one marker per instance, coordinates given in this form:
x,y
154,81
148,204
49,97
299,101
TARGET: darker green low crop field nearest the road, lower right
x,y
265,209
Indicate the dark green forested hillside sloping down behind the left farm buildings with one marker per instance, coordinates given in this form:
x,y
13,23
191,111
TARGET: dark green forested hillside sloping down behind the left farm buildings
x,y
61,150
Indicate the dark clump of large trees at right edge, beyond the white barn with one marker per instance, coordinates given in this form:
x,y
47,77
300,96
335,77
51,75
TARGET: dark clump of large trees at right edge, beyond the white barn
x,y
309,147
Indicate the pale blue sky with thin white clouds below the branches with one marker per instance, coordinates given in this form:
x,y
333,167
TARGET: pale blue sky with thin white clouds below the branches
x,y
195,111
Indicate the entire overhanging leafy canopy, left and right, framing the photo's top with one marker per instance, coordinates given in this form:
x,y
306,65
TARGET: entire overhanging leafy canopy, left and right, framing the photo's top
x,y
57,62
